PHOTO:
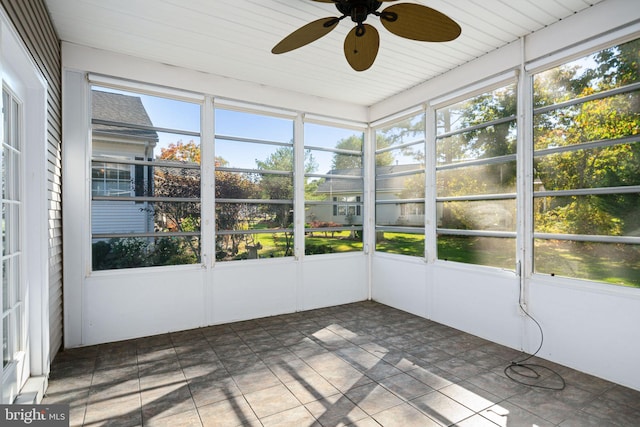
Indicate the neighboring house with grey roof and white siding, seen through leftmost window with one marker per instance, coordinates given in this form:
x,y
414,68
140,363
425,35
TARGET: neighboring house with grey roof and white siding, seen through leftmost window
x,y
109,179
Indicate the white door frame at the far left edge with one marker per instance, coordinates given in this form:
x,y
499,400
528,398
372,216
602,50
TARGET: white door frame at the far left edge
x,y
19,72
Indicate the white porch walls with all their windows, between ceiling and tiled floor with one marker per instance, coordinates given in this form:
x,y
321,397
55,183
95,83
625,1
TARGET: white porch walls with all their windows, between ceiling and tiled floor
x,y
504,188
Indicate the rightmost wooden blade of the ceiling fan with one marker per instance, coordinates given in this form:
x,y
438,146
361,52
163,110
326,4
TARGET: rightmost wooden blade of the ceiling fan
x,y
417,22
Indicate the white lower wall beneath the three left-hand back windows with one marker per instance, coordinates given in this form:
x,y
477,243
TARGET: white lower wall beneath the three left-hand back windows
x,y
132,303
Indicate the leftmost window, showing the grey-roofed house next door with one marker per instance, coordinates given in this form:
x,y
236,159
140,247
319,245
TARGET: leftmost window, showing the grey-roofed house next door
x,y
145,180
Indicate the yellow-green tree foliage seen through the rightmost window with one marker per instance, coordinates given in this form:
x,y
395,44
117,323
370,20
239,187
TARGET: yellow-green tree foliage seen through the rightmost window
x,y
601,119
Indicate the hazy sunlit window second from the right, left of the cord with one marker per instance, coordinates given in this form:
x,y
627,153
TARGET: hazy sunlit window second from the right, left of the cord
x,y
476,179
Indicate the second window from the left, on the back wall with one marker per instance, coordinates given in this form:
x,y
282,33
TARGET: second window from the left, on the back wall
x,y
253,185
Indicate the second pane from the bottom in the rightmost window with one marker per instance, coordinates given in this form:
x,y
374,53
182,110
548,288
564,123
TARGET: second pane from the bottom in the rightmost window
x,y
597,214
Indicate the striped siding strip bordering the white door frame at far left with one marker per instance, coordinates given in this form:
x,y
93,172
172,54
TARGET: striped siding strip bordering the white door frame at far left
x,y
32,22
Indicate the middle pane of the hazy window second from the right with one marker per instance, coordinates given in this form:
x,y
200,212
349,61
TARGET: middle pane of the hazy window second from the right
x,y
498,178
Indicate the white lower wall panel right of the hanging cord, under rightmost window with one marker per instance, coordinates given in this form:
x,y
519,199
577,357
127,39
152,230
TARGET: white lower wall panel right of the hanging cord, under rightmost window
x,y
590,327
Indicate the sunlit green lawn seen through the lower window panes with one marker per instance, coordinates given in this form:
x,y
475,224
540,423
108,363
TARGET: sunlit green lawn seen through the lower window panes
x,y
615,264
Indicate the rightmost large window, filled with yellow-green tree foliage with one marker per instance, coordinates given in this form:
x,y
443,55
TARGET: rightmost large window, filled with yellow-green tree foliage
x,y
587,167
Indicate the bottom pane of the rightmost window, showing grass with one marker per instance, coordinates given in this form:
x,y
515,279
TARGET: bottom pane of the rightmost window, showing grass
x,y
605,262
